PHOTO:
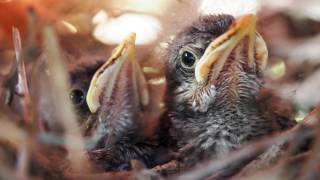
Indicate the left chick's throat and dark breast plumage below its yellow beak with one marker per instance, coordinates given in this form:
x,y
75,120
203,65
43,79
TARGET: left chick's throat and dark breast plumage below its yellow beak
x,y
119,124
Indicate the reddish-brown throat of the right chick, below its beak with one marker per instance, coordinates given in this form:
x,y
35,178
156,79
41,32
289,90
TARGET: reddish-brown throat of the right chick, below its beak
x,y
238,83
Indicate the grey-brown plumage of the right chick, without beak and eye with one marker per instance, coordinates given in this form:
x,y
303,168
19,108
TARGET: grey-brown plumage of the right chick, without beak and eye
x,y
215,118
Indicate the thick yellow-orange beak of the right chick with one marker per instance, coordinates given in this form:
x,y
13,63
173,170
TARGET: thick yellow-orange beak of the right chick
x,y
217,53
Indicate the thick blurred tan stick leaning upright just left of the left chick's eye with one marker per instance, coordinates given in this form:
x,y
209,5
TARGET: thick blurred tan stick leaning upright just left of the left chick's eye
x,y
59,79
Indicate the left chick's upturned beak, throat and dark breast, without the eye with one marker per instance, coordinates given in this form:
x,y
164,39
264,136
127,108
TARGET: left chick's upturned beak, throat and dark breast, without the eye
x,y
117,98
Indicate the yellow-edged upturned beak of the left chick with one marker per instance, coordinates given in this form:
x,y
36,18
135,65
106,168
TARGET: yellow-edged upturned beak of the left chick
x,y
106,78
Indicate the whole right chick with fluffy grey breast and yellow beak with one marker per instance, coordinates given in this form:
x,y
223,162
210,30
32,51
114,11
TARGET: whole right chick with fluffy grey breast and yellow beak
x,y
214,80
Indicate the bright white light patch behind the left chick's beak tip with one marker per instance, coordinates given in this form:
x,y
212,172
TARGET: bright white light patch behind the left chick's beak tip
x,y
114,30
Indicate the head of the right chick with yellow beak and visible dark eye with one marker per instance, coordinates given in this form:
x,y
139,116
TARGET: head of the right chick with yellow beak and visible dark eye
x,y
218,59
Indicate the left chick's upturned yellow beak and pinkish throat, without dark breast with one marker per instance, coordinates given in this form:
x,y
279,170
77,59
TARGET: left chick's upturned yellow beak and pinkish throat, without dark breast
x,y
118,91
